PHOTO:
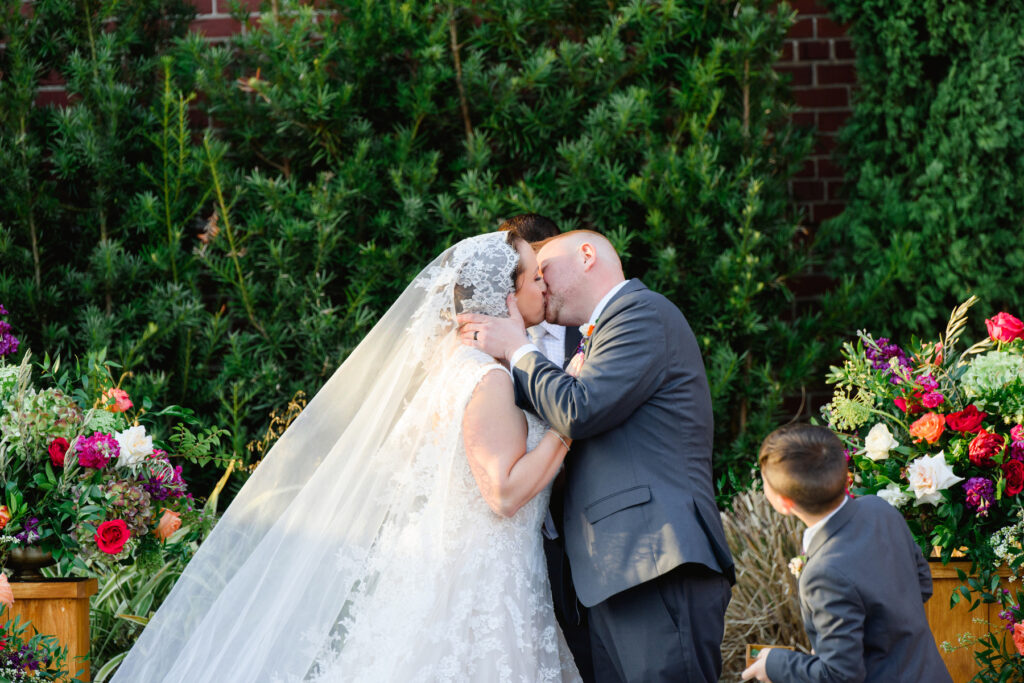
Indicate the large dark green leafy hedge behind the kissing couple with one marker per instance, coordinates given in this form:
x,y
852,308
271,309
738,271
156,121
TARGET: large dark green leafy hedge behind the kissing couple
x,y
355,142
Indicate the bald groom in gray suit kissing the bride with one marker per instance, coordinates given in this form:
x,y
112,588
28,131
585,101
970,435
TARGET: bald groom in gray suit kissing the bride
x,y
645,539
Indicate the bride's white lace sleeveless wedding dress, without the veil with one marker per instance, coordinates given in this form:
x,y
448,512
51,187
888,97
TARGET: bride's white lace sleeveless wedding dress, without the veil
x,y
455,591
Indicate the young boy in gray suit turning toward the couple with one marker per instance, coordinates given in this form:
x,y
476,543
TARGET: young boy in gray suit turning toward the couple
x,y
864,582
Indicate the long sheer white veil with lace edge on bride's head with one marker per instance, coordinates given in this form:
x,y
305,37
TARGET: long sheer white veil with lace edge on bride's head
x,y
268,588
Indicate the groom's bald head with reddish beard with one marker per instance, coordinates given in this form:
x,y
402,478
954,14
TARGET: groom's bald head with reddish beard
x,y
579,268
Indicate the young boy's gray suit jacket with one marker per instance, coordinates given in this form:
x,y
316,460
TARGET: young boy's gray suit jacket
x,y
862,594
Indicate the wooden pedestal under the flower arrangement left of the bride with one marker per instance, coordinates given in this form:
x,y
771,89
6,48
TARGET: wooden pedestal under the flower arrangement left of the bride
x,y
59,608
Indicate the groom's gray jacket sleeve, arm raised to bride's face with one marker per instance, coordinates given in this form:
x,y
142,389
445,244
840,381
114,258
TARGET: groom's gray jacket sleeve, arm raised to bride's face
x,y
623,369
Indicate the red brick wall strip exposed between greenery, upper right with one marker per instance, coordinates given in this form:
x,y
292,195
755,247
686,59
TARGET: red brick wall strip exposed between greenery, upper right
x,y
820,58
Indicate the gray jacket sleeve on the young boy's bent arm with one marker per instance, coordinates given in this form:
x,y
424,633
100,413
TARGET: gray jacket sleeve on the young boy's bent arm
x,y
838,618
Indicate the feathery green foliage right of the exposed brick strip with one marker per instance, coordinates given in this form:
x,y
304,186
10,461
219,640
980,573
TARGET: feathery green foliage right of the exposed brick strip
x,y
934,159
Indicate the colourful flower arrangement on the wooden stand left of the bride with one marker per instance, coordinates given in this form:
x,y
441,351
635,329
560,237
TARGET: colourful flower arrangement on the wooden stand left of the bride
x,y
82,477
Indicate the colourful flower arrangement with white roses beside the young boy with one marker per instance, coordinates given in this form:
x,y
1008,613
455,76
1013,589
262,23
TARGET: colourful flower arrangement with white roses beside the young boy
x,y
940,435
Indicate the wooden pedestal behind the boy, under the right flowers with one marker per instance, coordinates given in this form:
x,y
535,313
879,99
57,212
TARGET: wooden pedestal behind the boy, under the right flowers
x,y
948,625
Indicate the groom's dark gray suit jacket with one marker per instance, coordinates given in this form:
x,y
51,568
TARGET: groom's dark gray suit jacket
x,y
639,498
